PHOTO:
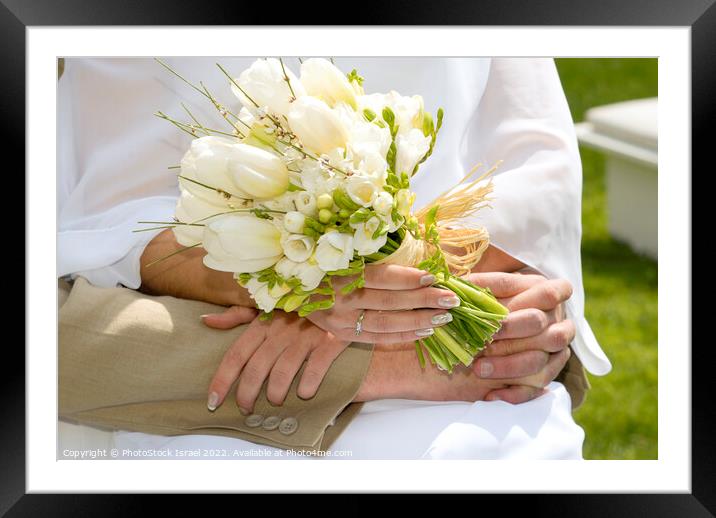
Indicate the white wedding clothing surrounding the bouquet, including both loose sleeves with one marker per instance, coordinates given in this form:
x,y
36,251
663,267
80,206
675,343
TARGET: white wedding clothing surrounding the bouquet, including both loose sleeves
x,y
112,172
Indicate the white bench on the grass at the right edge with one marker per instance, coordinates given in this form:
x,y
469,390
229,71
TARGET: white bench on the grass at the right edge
x,y
627,133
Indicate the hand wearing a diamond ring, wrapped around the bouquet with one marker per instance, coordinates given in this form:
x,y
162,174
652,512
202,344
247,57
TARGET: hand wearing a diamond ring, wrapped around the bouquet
x,y
399,304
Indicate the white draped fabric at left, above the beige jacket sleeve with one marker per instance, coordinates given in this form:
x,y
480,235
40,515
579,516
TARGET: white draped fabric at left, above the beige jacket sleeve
x,y
112,167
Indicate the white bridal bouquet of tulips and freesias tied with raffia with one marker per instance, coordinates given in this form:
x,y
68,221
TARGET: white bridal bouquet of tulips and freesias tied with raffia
x,y
312,181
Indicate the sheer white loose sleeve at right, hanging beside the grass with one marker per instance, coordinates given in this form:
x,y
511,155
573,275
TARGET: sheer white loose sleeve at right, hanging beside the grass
x,y
523,119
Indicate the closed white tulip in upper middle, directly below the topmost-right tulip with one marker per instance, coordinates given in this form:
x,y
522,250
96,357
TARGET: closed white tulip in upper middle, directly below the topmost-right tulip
x,y
316,125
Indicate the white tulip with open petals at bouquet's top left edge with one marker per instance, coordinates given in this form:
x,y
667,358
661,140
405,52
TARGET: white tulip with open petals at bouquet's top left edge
x,y
264,83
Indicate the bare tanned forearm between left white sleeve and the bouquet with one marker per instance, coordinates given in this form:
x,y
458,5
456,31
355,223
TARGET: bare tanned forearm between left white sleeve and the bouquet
x,y
184,275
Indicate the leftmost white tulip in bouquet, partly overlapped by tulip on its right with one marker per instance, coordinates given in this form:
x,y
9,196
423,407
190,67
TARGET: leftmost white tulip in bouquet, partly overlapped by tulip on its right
x,y
207,162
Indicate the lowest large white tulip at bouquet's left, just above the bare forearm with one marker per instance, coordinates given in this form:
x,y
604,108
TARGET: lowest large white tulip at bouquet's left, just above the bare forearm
x,y
241,244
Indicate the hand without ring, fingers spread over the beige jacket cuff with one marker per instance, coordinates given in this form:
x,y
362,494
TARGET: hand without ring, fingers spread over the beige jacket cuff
x,y
274,349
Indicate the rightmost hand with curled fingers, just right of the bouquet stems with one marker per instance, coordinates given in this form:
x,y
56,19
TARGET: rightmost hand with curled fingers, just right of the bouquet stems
x,y
532,347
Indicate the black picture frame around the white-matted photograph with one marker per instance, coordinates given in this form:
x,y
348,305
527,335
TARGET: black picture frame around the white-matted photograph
x,y
700,15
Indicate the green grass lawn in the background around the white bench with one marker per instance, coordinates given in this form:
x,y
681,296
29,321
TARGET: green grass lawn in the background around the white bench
x,y
620,413
